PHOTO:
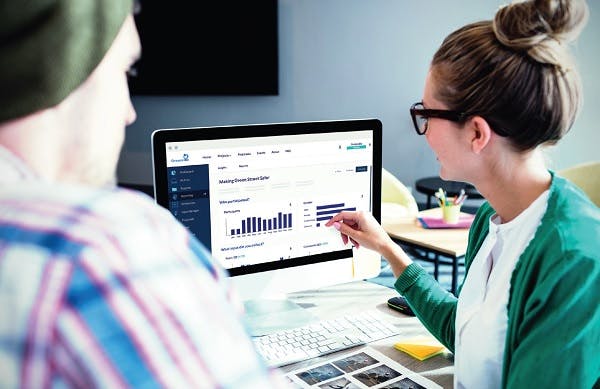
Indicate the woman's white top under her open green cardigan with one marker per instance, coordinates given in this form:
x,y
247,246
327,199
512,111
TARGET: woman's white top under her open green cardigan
x,y
482,313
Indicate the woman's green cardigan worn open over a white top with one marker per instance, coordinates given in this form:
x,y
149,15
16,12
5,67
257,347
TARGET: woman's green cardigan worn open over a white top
x,y
553,334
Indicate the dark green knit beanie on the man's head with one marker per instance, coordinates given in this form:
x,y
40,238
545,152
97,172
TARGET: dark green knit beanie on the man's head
x,y
50,47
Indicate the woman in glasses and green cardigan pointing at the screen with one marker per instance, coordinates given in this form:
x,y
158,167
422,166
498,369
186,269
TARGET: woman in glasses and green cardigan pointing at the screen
x,y
528,311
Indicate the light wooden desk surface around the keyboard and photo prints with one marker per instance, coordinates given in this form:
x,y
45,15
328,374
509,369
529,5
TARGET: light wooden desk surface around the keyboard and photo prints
x,y
335,301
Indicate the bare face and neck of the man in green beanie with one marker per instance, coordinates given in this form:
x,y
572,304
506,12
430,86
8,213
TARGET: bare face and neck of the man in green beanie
x,y
101,109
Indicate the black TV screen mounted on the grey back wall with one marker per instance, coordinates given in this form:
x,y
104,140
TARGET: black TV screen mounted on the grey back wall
x,y
218,47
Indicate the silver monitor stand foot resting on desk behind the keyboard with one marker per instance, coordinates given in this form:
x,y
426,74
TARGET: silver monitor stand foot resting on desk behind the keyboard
x,y
265,316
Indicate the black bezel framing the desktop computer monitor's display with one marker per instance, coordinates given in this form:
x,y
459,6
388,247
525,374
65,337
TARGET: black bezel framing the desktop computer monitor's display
x,y
161,137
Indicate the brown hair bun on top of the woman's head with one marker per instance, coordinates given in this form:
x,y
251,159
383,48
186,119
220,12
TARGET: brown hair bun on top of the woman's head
x,y
541,28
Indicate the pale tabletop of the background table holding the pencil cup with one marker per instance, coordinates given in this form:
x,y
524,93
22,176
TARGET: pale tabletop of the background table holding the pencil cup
x,y
450,241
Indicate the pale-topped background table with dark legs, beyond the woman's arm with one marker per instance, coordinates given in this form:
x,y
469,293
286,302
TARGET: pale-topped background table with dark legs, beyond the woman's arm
x,y
449,243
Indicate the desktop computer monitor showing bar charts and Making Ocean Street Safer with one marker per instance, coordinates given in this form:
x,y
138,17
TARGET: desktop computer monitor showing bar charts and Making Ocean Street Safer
x,y
258,196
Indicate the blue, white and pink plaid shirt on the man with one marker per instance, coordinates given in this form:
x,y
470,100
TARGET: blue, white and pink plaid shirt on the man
x,y
105,289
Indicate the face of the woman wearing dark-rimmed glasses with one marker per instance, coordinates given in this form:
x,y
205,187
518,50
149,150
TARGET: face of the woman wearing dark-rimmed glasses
x,y
446,138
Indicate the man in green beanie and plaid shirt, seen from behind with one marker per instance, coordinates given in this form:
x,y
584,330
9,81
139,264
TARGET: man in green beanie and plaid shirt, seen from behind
x,y
99,287
